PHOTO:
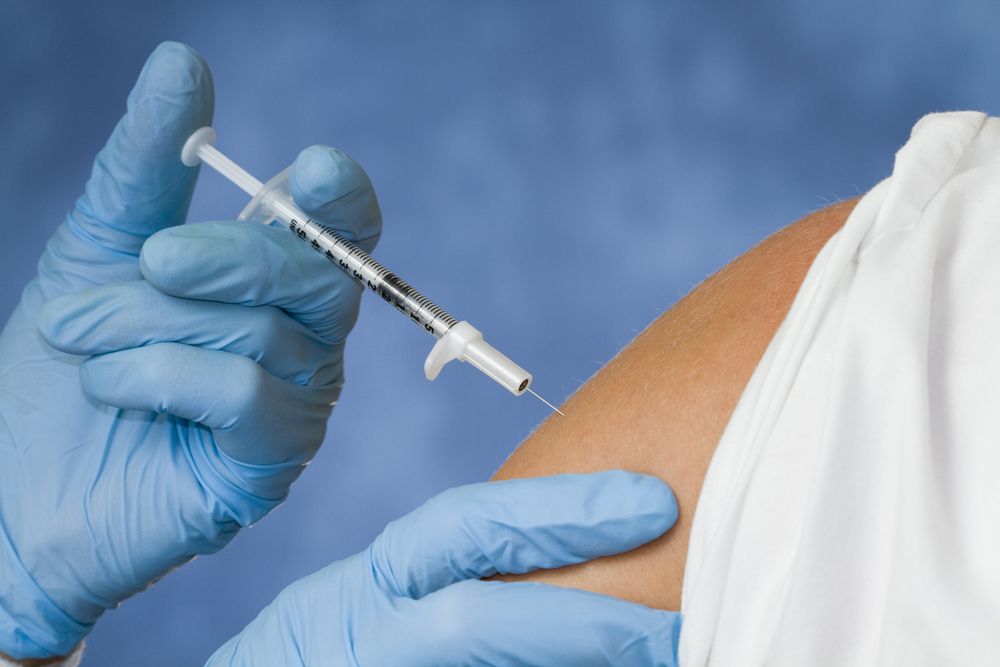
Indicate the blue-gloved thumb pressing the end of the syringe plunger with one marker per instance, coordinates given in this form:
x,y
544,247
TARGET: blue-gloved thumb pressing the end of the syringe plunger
x,y
138,184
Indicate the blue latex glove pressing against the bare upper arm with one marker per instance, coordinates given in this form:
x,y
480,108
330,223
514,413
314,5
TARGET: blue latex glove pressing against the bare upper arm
x,y
414,597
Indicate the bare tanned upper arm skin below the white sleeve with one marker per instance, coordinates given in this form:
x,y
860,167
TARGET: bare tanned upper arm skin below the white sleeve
x,y
661,405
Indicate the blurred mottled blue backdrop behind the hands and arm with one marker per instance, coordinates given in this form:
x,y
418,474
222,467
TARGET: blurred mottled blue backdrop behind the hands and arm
x,y
558,173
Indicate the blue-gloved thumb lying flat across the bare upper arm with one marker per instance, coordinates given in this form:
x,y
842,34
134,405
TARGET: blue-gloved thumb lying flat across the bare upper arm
x,y
517,526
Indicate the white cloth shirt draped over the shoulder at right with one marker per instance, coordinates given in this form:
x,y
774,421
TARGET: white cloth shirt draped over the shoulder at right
x,y
851,514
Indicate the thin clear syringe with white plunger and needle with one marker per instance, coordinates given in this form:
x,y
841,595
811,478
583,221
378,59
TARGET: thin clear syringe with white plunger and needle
x,y
272,201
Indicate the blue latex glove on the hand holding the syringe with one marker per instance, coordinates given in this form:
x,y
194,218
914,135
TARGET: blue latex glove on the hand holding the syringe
x,y
218,357
